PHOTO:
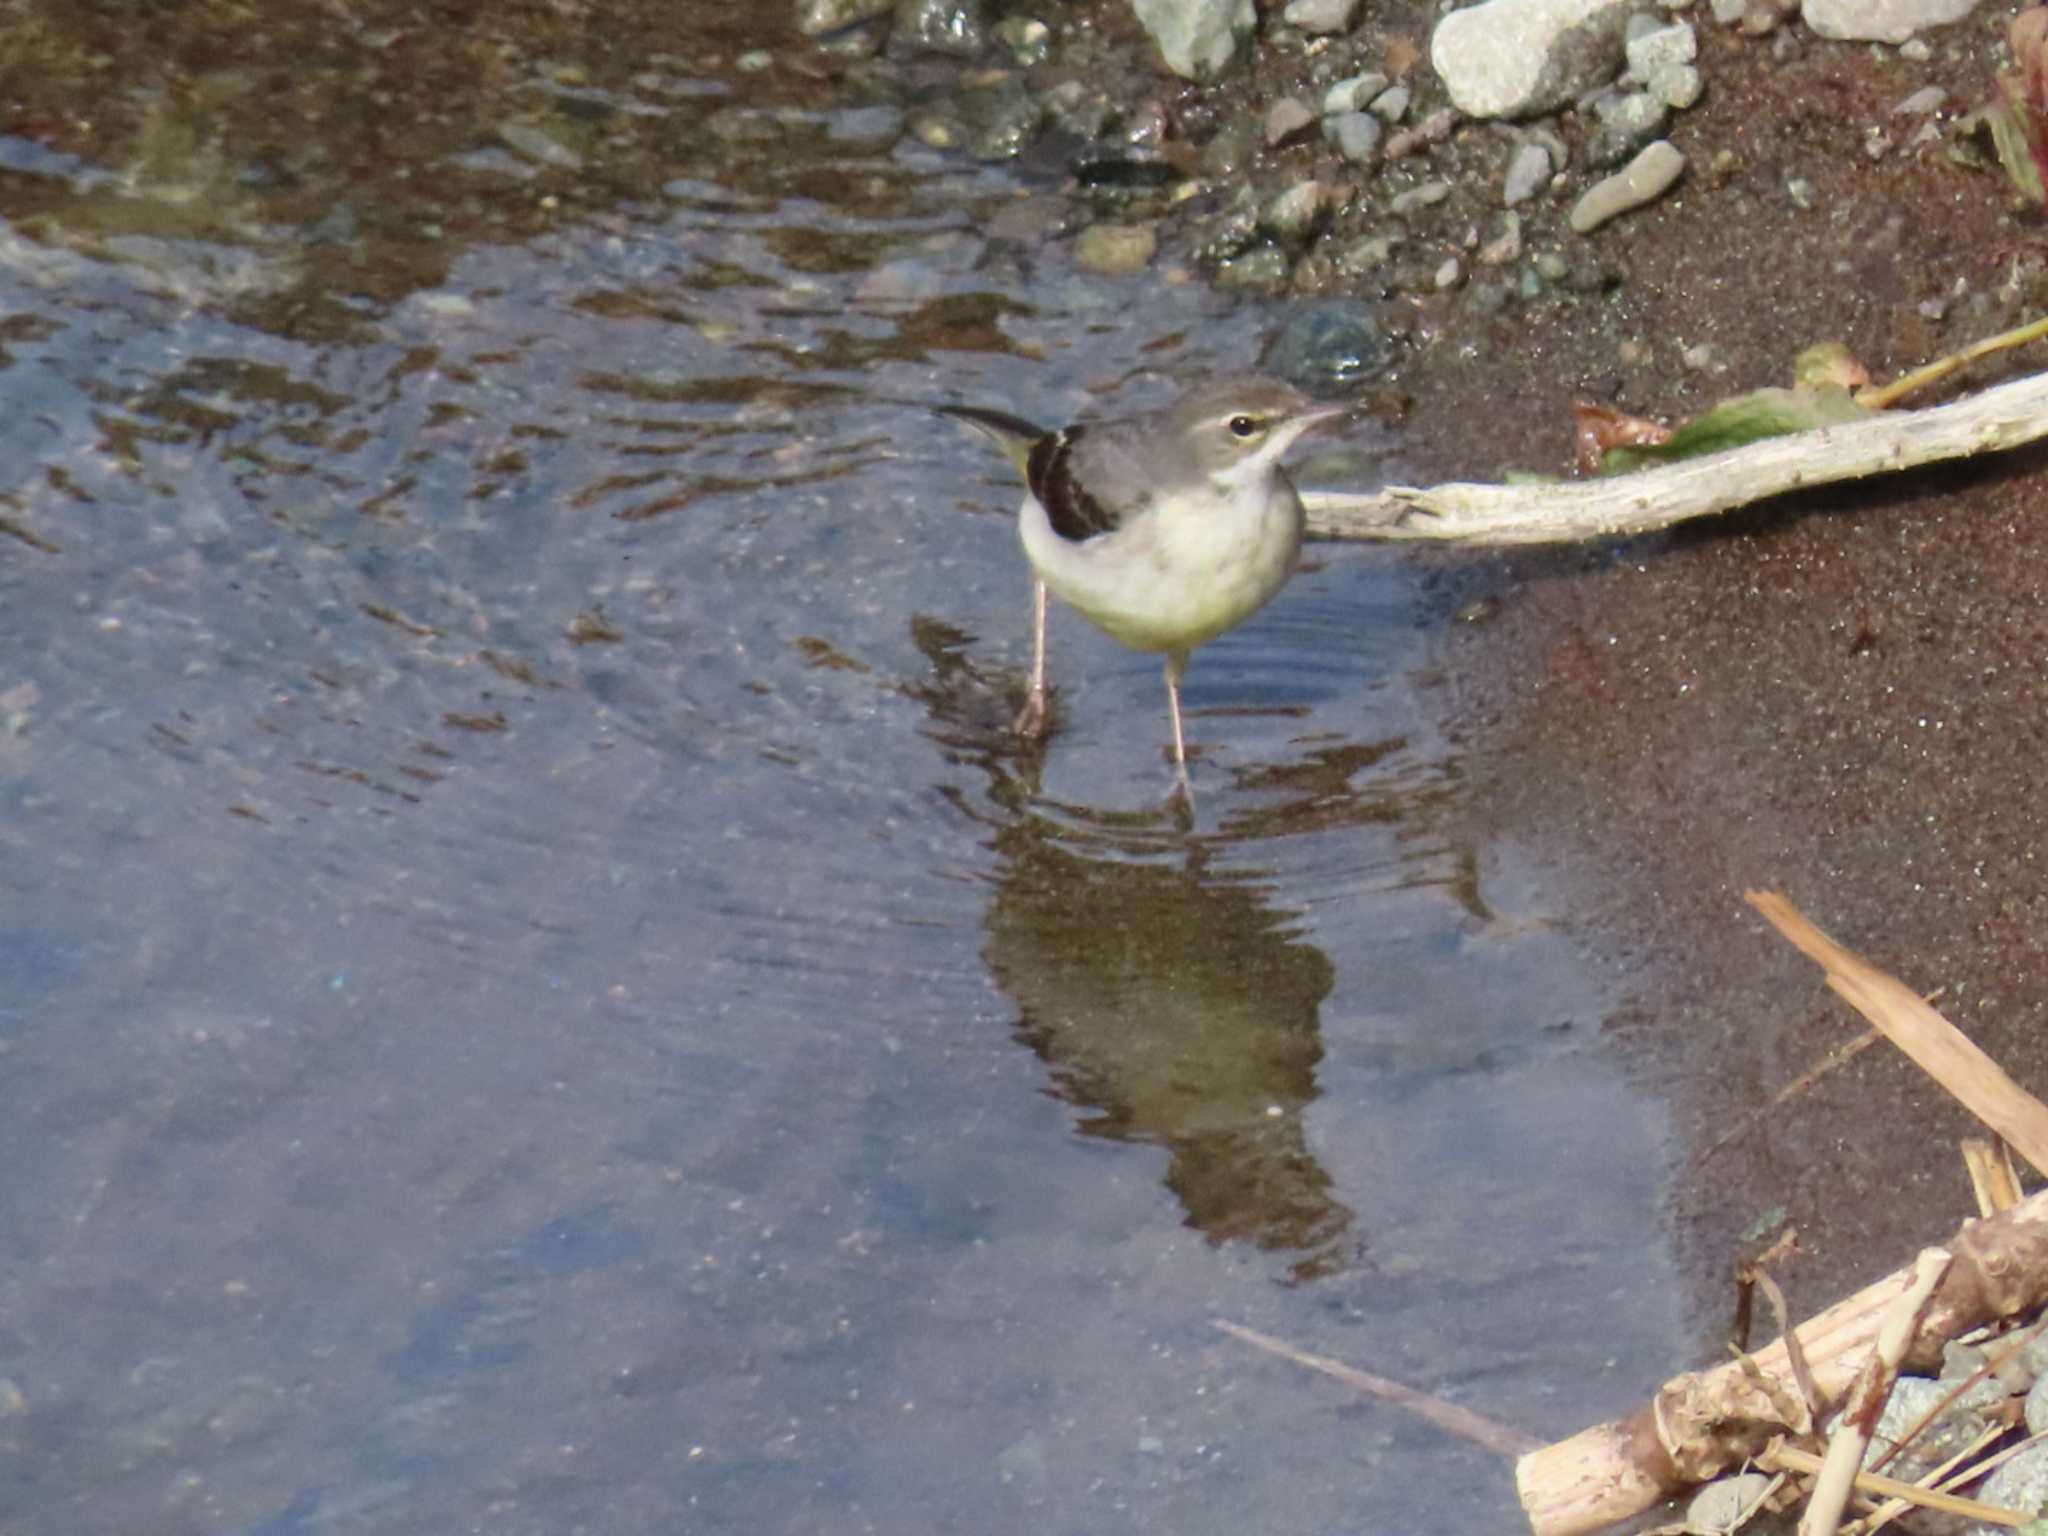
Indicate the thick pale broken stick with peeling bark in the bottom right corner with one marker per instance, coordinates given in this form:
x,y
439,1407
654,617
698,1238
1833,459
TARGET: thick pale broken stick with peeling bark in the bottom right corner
x,y
1707,1422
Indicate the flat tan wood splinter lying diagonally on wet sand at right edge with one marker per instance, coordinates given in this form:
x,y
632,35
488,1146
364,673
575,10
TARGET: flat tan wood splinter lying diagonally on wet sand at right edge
x,y
1934,1046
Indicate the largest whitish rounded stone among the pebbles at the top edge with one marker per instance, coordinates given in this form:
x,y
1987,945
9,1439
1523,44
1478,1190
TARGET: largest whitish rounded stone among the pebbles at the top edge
x,y
1510,58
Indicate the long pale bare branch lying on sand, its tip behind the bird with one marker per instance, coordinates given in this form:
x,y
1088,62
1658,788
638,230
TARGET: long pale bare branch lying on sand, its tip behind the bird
x,y
1994,421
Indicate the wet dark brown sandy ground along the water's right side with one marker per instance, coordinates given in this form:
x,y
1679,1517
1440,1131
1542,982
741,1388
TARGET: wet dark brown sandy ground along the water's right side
x,y
1838,695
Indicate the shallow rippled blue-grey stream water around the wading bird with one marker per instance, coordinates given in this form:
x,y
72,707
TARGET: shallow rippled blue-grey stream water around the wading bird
x,y
540,990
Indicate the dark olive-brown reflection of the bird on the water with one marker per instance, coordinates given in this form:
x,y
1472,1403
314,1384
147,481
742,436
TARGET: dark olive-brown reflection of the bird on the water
x,y
1172,1005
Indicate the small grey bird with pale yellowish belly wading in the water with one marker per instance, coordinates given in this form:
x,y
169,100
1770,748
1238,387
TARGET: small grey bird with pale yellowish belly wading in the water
x,y
1164,529
